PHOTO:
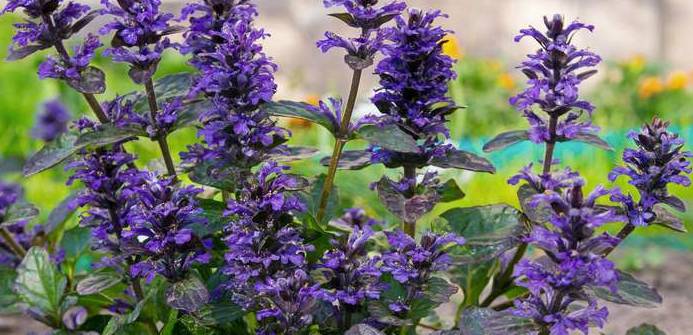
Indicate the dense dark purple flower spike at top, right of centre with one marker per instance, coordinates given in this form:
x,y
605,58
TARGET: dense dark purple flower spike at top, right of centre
x,y
414,77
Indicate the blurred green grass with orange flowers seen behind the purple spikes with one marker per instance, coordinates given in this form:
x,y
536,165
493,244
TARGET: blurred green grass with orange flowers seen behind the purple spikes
x,y
627,93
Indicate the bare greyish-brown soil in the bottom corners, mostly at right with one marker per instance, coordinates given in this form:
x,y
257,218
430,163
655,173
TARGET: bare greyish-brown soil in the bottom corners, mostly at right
x,y
673,279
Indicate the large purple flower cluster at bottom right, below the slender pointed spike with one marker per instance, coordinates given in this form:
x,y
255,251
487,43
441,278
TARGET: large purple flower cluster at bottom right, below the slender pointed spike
x,y
575,260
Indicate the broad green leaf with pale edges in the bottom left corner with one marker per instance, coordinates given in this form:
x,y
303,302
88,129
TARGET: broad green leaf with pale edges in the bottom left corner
x,y
39,284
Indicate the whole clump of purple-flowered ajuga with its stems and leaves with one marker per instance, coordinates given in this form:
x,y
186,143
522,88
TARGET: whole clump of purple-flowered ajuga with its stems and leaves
x,y
224,238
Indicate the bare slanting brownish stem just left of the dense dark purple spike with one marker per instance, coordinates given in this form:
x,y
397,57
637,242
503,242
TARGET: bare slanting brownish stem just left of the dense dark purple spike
x,y
340,140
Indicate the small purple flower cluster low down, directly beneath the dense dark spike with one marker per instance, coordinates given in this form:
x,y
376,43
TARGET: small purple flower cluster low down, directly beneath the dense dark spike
x,y
412,264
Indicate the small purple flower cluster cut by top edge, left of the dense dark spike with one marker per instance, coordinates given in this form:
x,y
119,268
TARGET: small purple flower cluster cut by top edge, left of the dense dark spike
x,y
369,17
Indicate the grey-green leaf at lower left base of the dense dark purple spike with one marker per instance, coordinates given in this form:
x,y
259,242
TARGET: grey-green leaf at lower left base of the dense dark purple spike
x,y
389,137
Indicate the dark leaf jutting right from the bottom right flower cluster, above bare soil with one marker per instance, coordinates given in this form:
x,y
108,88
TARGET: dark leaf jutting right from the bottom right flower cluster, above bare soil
x,y
631,291
